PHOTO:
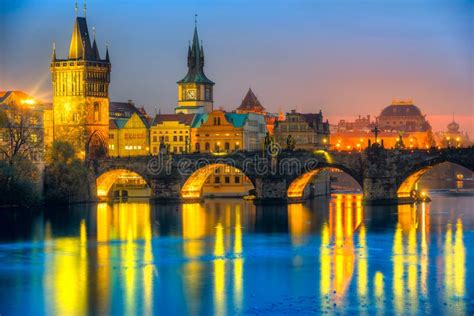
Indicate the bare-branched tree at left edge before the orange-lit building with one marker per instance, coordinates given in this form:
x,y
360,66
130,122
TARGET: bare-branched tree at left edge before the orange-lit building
x,y
22,133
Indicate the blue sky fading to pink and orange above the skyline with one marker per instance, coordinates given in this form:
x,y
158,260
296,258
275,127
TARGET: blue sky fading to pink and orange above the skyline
x,y
345,57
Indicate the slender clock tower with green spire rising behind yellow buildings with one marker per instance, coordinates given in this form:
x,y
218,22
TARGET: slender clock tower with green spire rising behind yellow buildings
x,y
195,90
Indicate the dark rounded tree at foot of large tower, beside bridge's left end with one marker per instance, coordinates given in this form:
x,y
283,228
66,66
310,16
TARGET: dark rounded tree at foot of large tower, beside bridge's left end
x,y
65,176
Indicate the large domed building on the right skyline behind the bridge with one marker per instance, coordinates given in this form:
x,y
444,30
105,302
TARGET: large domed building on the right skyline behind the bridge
x,y
404,116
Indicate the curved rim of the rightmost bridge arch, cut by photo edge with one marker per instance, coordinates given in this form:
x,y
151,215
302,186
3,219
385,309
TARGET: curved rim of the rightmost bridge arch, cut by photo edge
x,y
408,180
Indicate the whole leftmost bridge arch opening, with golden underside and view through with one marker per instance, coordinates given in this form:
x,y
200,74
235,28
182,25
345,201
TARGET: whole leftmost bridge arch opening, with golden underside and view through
x,y
122,180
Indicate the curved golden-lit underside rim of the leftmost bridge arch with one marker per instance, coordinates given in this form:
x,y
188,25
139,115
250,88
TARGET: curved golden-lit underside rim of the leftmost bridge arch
x,y
109,177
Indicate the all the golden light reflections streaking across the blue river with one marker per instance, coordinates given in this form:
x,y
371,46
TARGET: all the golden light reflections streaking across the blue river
x,y
217,228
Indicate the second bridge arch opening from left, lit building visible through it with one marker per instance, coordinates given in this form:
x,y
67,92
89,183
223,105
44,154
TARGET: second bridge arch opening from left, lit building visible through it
x,y
225,179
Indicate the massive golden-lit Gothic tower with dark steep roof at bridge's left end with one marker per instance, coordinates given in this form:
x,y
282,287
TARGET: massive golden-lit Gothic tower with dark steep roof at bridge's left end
x,y
81,94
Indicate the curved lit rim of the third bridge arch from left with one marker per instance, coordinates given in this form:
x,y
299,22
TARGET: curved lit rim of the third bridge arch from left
x,y
297,187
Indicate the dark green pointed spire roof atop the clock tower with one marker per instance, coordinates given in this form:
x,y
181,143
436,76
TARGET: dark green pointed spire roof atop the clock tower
x,y
196,63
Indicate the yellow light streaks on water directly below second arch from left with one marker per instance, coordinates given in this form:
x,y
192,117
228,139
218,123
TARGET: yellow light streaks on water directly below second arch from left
x,y
200,221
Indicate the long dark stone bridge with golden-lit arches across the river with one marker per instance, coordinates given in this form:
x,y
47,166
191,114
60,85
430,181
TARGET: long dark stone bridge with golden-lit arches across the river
x,y
385,176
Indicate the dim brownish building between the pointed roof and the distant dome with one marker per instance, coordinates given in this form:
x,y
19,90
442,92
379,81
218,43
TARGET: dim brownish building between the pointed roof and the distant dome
x,y
308,131
